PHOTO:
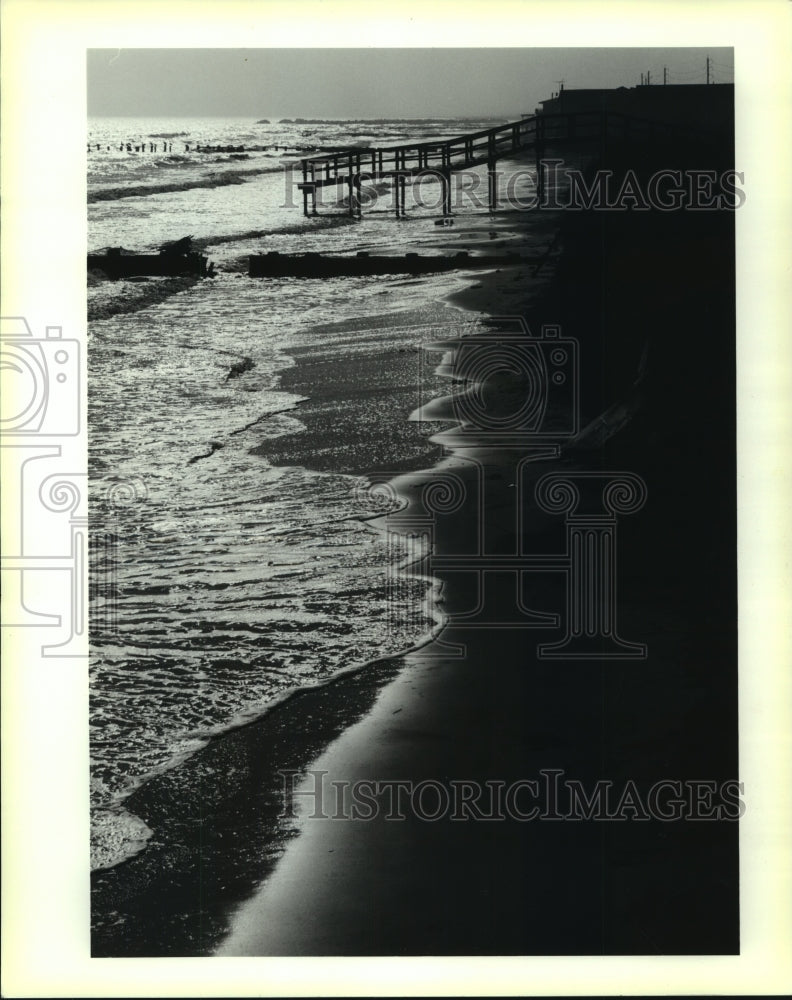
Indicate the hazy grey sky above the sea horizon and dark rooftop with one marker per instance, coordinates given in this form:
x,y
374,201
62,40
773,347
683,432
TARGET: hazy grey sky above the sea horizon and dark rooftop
x,y
370,82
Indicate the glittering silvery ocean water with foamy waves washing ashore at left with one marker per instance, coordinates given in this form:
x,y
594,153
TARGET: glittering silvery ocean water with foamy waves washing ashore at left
x,y
220,582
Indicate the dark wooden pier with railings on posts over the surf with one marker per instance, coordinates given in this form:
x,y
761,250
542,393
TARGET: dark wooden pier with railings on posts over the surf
x,y
351,168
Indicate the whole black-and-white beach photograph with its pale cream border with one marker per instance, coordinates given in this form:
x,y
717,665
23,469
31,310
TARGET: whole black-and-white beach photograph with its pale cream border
x,y
403,567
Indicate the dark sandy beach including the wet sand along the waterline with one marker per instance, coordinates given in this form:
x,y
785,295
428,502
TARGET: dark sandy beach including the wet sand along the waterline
x,y
649,298
